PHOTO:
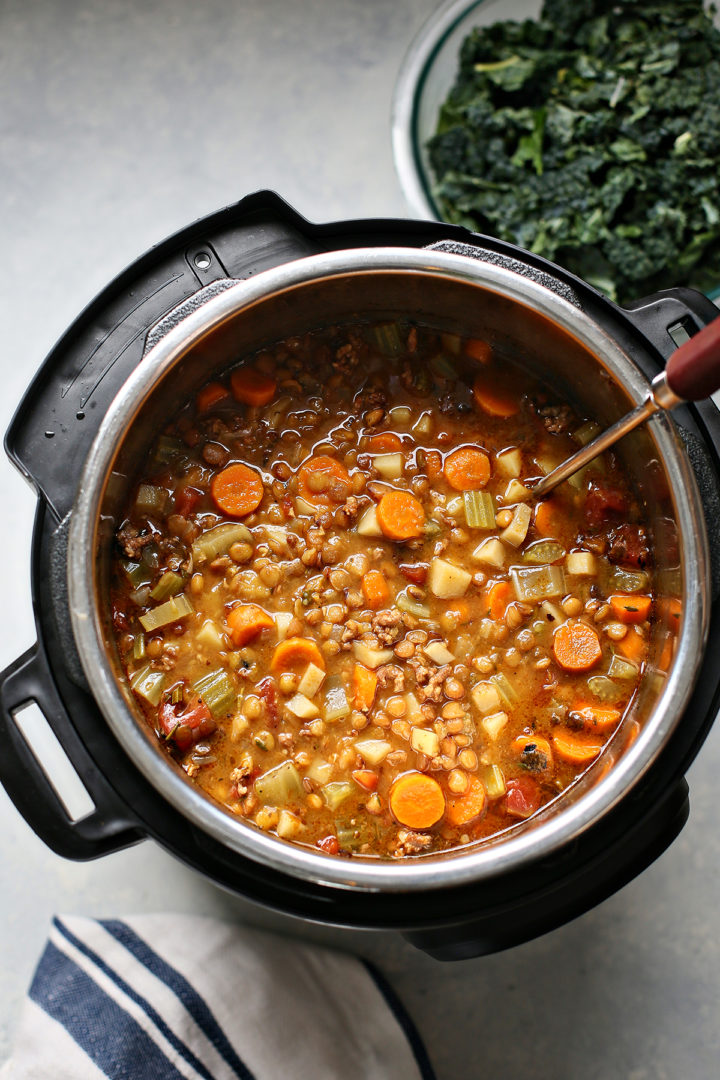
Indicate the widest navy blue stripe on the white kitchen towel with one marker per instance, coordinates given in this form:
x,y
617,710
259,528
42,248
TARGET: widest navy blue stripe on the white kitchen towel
x,y
100,1027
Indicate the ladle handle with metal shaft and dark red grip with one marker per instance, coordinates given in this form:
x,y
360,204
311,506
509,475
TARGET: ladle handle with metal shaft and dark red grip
x,y
692,373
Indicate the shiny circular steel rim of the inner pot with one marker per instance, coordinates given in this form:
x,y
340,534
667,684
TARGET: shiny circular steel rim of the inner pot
x,y
458,868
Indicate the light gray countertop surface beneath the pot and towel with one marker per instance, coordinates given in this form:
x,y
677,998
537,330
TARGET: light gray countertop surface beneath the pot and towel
x,y
121,121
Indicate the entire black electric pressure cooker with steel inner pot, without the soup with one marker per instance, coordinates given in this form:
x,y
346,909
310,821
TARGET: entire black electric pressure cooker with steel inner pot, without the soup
x,y
180,312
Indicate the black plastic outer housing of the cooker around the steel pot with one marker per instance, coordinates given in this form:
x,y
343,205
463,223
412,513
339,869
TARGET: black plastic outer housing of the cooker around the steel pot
x,y
260,233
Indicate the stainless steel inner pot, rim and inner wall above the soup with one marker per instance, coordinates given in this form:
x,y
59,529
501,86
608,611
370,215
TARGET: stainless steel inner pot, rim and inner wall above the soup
x,y
526,321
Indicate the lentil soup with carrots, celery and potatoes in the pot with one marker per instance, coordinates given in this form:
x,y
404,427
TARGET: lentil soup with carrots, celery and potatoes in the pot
x,y
344,614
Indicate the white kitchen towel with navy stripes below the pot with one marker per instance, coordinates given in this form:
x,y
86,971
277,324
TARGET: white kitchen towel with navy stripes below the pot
x,y
165,997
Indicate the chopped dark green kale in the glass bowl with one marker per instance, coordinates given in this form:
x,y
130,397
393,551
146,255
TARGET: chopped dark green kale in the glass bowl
x,y
592,137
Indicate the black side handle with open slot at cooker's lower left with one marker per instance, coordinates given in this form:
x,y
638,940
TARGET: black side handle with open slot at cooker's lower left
x,y
49,774
